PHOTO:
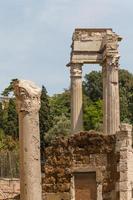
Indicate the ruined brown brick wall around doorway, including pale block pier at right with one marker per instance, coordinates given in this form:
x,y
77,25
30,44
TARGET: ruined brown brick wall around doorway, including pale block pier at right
x,y
110,157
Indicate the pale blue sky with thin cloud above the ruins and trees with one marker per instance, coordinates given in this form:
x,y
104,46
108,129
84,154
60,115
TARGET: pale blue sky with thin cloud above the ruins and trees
x,y
35,37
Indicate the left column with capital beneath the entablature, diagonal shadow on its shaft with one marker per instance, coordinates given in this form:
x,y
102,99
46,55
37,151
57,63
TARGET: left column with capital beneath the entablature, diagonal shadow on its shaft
x,y
76,98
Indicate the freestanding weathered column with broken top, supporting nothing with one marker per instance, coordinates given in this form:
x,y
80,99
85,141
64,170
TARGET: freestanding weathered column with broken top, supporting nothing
x,y
28,105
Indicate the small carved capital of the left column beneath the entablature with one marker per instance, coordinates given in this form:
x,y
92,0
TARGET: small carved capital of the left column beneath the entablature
x,y
76,70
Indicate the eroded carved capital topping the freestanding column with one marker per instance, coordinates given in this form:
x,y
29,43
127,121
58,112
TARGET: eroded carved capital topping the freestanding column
x,y
27,96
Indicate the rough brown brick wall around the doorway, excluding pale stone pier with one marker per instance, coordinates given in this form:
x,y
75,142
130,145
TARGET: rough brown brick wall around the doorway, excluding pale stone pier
x,y
83,152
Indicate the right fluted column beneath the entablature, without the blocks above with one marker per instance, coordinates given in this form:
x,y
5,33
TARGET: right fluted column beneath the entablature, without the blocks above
x,y
111,97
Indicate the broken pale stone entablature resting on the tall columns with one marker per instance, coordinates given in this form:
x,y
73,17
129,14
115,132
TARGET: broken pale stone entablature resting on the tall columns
x,y
94,45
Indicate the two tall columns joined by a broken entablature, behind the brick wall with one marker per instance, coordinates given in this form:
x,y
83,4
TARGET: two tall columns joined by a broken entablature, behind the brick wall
x,y
96,46
